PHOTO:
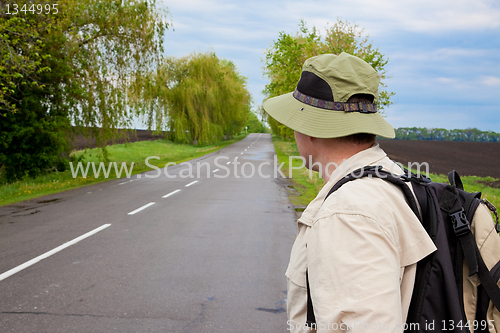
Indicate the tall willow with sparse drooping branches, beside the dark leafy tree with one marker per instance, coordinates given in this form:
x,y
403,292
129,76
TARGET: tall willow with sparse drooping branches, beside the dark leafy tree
x,y
109,44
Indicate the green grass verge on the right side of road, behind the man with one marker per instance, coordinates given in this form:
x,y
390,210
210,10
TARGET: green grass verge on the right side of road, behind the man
x,y
303,188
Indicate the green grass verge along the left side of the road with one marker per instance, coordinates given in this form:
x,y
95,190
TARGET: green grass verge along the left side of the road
x,y
128,153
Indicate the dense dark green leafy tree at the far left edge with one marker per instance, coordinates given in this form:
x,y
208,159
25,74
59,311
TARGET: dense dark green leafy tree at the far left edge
x,y
32,131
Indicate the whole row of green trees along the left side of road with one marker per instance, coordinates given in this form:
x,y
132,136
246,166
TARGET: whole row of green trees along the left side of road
x,y
95,66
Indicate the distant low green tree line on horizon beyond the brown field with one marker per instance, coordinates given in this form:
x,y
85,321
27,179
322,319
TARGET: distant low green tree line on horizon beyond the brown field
x,y
441,134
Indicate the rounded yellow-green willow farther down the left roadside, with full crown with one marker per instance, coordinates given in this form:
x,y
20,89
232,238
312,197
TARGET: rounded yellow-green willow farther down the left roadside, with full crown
x,y
199,98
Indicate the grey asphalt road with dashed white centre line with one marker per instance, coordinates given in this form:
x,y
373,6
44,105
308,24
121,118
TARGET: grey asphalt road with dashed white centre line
x,y
153,254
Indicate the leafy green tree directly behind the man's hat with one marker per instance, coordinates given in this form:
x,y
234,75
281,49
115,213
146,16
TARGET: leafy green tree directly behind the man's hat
x,y
284,60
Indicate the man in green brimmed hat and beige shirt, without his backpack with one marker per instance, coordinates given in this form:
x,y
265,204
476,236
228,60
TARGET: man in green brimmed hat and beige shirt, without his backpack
x,y
360,246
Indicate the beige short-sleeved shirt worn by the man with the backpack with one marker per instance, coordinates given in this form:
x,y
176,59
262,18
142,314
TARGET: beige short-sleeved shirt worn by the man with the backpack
x,y
360,248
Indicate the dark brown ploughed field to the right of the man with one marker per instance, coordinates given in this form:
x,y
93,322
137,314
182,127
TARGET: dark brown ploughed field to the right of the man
x,y
467,158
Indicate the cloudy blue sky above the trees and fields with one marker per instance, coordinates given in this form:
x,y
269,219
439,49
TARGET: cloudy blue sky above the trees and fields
x,y
444,55
